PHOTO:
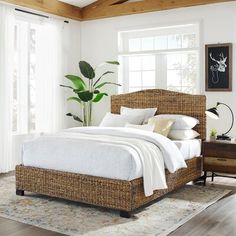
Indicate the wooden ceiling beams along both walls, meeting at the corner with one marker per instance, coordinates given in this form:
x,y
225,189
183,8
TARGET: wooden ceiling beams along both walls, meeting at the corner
x,y
107,8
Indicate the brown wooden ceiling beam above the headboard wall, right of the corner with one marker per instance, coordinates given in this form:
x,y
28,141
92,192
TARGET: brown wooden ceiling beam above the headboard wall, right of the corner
x,y
104,8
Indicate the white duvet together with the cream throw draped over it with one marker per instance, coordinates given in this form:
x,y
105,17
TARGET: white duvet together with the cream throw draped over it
x,y
118,153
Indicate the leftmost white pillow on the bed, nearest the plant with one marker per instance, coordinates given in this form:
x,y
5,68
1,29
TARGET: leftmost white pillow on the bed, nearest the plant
x,y
115,120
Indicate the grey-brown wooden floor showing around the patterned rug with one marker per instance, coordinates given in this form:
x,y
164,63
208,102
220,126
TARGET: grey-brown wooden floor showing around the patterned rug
x,y
218,220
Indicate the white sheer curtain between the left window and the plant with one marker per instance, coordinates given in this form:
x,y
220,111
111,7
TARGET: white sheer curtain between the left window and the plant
x,y
51,68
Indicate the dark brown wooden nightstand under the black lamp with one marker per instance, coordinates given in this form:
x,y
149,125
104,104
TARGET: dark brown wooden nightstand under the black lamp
x,y
219,156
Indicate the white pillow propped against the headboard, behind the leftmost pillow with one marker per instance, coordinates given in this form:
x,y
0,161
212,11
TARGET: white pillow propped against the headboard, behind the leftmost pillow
x,y
146,112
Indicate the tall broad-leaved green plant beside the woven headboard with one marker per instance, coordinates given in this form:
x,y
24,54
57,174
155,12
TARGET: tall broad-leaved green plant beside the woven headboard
x,y
88,89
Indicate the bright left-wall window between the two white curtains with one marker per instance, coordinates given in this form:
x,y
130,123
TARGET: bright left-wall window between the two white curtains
x,y
24,81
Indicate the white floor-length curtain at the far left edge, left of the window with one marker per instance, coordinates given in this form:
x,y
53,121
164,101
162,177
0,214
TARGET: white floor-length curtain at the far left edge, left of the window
x,y
6,78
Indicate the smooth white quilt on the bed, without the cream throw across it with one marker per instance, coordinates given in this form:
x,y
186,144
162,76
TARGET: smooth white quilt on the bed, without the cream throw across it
x,y
64,153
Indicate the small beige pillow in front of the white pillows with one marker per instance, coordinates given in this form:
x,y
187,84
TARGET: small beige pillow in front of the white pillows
x,y
161,126
